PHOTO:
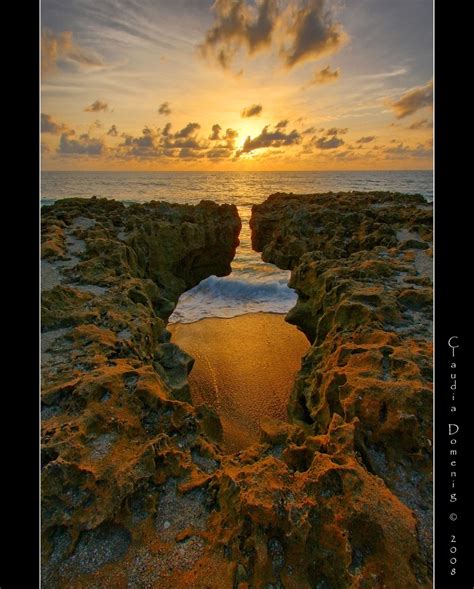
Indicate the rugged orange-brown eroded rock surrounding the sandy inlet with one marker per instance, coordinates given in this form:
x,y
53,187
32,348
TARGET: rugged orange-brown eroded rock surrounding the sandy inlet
x,y
136,489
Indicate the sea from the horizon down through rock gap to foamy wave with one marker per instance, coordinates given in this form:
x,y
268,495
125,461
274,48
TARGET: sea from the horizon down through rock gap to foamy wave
x,y
253,286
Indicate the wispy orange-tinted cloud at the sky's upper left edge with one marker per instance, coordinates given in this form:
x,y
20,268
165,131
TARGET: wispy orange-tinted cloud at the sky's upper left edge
x,y
60,49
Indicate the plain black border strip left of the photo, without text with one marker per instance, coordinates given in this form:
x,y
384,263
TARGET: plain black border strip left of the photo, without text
x,y
20,289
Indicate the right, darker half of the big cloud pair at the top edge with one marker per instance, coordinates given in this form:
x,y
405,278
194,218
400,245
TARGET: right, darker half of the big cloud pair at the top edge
x,y
314,34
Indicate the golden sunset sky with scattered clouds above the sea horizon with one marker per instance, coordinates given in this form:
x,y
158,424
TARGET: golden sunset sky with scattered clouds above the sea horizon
x,y
236,84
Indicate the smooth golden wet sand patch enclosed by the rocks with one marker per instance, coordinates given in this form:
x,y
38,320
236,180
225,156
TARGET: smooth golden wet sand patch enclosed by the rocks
x,y
244,368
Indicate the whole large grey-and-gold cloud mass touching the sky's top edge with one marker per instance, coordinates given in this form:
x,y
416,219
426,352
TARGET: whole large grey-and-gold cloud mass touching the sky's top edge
x,y
303,29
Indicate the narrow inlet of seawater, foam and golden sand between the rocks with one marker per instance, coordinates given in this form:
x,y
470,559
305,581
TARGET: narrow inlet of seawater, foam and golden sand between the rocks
x,y
246,355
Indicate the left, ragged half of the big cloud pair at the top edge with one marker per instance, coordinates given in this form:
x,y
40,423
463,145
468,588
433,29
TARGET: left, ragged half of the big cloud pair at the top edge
x,y
239,24
